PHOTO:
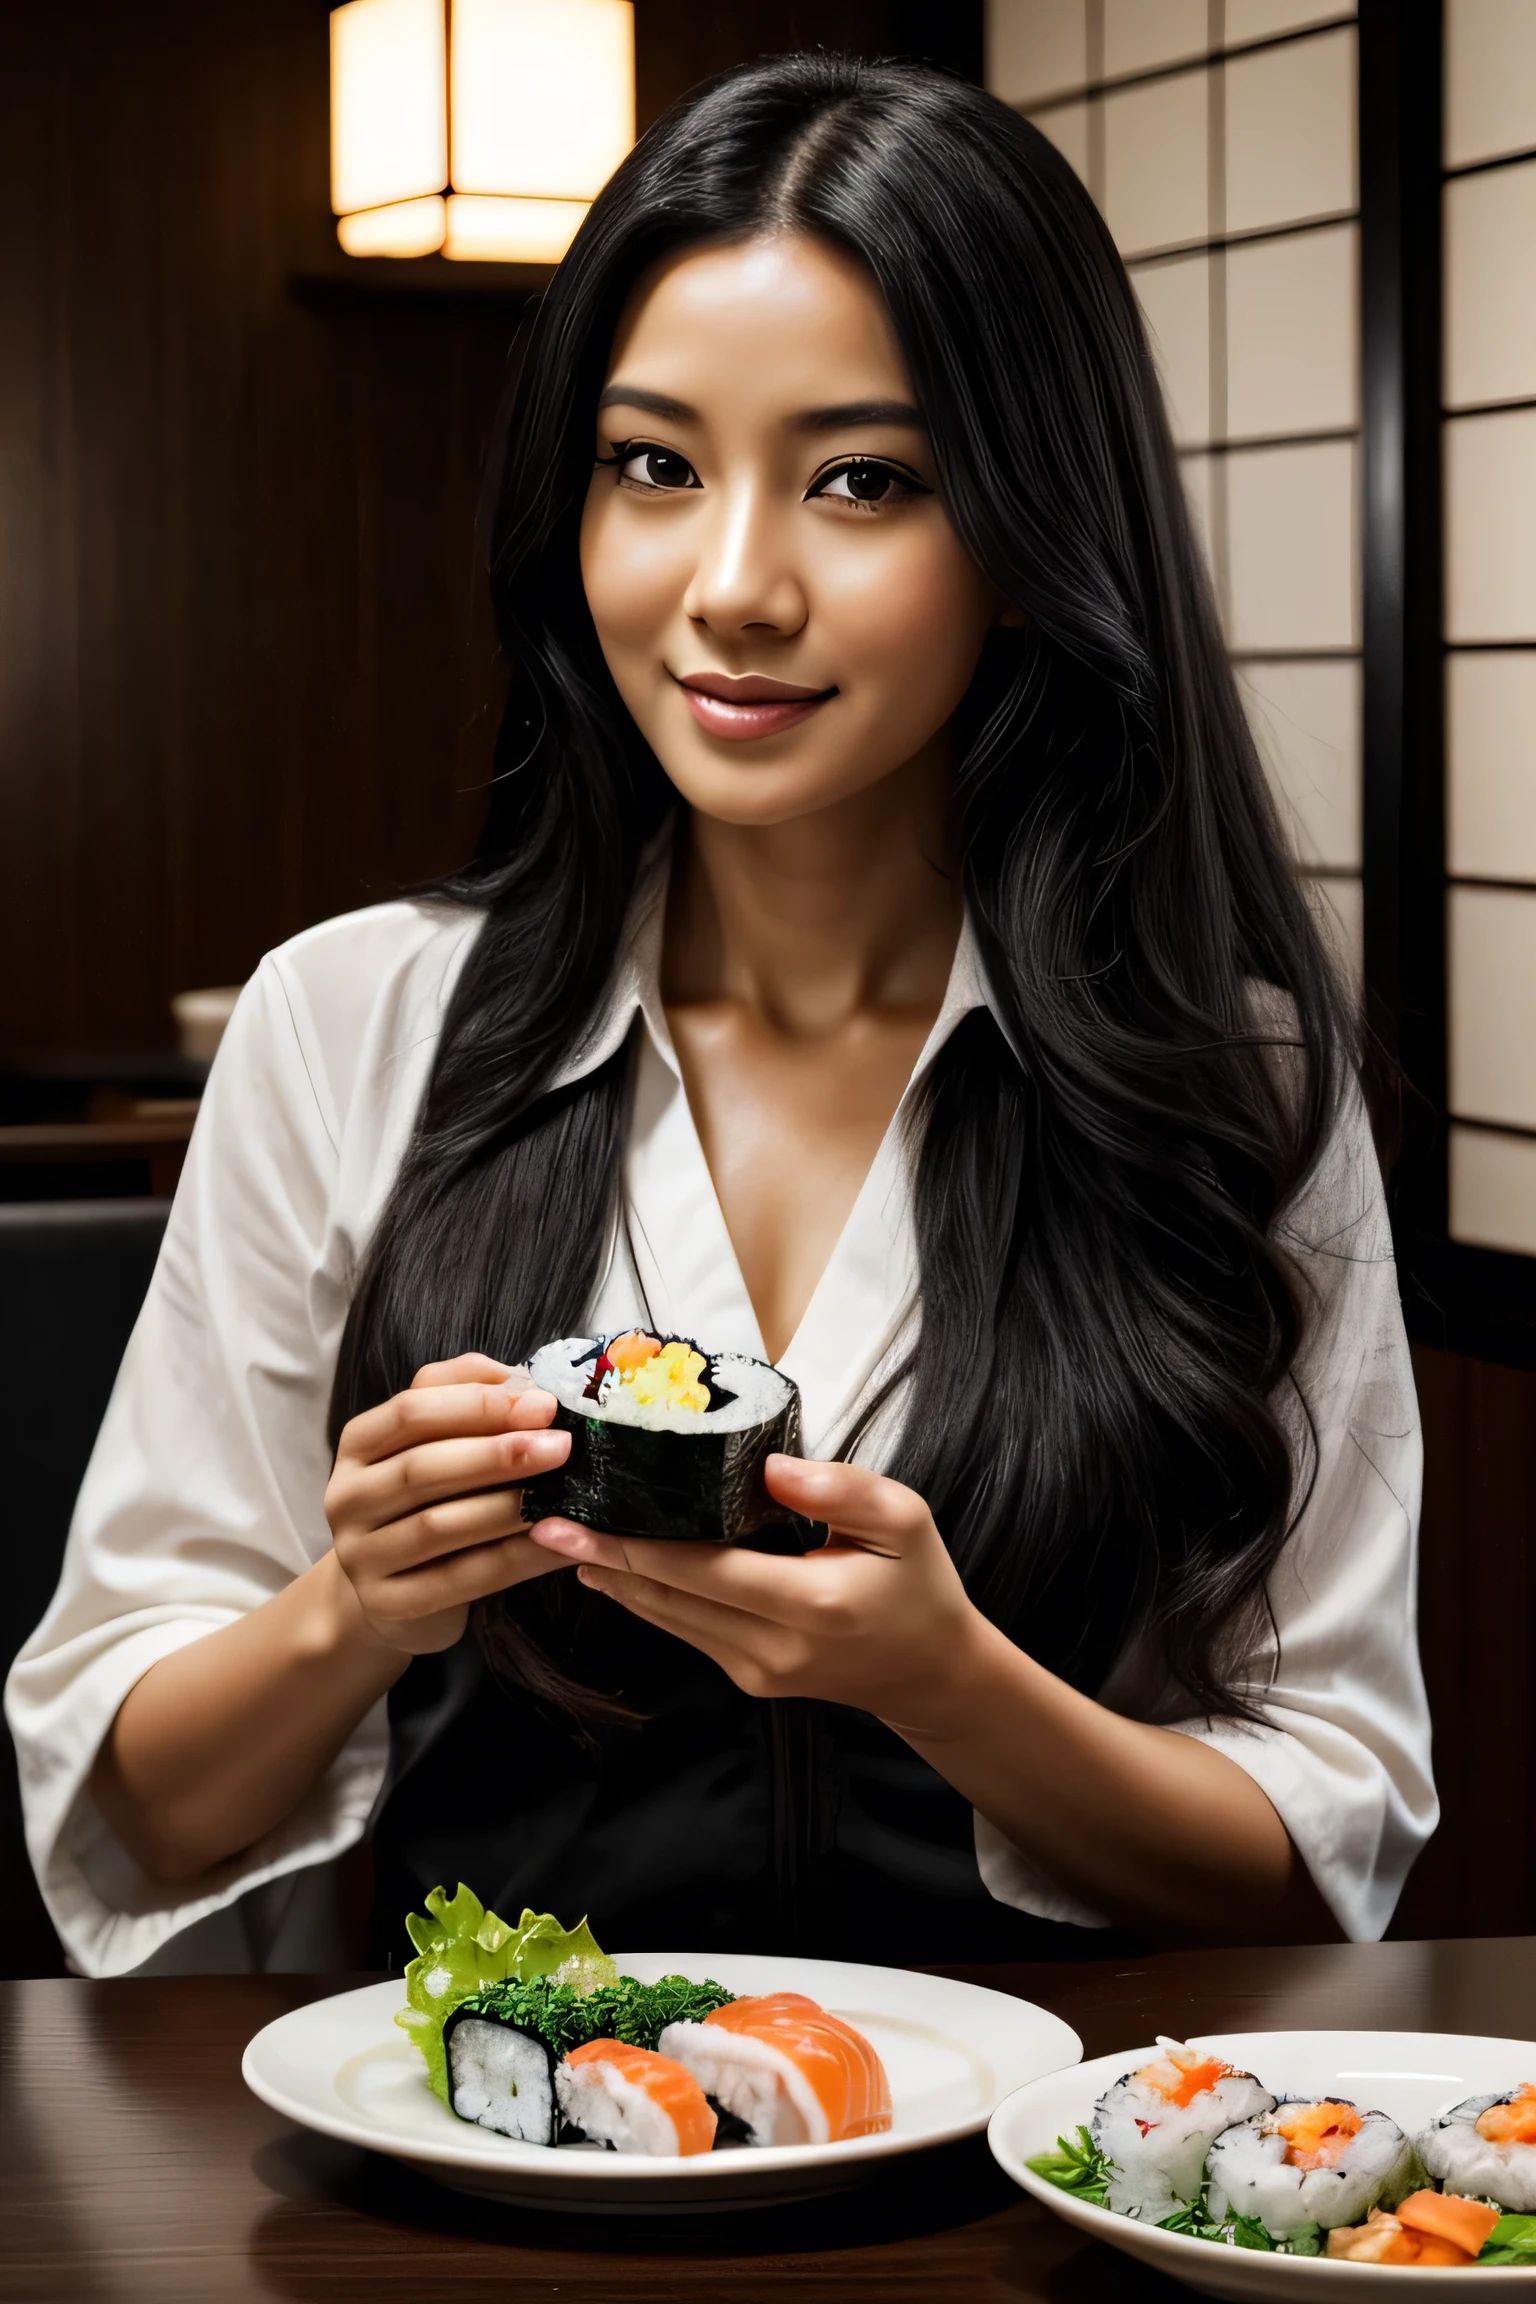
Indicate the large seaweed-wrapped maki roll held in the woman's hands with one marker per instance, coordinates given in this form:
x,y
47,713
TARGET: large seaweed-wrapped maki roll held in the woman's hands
x,y
669,1441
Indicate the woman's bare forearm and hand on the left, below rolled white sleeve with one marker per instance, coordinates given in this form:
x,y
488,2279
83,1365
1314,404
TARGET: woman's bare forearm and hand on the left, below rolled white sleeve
x,y
222,1741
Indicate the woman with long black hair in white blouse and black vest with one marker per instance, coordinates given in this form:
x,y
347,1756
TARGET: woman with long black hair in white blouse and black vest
x,y
883,957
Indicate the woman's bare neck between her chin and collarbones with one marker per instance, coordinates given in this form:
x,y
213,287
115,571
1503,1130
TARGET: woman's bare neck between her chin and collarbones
x,y
809,923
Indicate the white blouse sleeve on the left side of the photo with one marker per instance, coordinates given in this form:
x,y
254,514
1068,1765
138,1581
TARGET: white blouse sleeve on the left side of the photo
x,y
204,1499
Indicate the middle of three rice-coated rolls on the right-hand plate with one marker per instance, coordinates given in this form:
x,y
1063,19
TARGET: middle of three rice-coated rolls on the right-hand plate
x,y
1309,2165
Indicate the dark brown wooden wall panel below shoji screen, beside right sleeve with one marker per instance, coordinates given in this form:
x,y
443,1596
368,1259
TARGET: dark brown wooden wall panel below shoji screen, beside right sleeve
x,y
1477,1628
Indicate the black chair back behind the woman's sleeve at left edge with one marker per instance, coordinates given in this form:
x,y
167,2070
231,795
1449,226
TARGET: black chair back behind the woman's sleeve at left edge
x,y
73,1278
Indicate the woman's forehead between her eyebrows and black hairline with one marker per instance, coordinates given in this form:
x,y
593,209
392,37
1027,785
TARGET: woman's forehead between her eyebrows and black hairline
x,y
782,319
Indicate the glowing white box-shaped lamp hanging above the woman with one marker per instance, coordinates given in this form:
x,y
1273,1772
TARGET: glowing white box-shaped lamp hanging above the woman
x,y
480,128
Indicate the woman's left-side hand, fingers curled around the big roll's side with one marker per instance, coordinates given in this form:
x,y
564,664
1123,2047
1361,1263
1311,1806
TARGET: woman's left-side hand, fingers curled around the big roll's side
x,y
425,1501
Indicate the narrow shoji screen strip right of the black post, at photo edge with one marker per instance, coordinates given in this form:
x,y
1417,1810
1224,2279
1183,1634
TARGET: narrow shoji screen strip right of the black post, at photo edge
x,y
1491,616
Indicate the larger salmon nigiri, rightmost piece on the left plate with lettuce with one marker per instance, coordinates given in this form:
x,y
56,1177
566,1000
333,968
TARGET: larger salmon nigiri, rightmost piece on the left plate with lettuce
x,y
789,2070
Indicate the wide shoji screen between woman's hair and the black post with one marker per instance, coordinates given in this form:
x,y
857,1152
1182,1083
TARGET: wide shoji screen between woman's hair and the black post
x,y
1219,139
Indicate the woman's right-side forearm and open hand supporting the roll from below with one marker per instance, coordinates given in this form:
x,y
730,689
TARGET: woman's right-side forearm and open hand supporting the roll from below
x,y
1148,1826
